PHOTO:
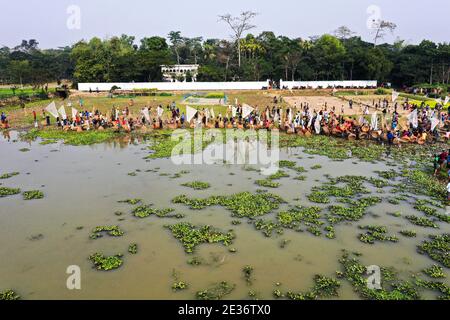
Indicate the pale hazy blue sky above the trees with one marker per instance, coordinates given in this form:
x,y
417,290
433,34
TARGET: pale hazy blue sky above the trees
x,y
45,20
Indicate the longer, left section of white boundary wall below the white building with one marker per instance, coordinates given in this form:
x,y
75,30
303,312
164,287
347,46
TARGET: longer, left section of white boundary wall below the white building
x,y
175,86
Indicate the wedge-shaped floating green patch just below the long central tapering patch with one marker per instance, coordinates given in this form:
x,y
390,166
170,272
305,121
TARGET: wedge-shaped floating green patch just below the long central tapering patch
x,y
191,236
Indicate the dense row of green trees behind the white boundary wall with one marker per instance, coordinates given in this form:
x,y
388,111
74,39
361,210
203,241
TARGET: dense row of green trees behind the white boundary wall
x,y
338,56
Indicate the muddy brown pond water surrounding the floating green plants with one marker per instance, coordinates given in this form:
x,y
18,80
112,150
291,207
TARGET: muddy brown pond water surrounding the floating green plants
x,y
83,184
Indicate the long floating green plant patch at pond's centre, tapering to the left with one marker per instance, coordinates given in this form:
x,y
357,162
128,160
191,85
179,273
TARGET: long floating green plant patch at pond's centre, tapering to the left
x,y
242,205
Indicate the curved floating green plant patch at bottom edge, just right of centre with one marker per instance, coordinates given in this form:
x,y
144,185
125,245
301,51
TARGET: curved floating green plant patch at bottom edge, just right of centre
x,y
324,287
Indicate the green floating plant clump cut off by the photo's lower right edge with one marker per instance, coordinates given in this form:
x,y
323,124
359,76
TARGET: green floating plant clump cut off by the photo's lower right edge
x,y
437,248
